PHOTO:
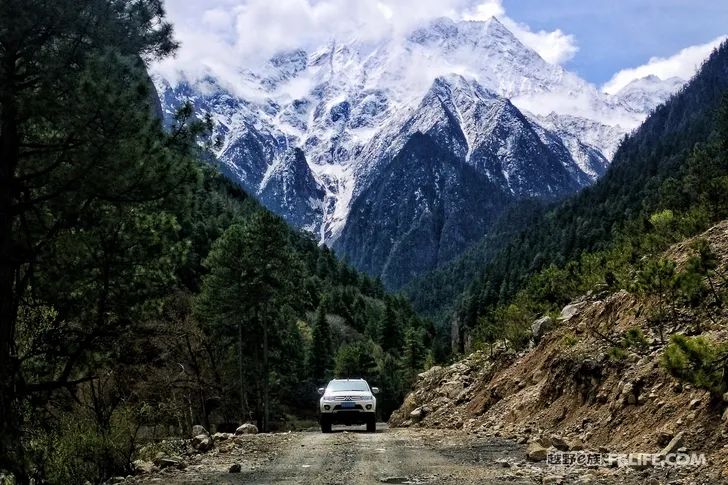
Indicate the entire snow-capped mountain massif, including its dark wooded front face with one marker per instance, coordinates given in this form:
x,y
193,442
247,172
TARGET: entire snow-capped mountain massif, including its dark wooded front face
x,y
313,133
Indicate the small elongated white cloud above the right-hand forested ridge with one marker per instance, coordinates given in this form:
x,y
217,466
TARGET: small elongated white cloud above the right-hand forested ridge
x,y
684,65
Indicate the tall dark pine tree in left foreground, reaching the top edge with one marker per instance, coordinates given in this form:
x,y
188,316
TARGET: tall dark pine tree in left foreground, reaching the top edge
x,y
77,143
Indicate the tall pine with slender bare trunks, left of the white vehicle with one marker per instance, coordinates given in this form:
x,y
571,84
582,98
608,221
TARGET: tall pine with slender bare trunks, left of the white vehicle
x,y
253,274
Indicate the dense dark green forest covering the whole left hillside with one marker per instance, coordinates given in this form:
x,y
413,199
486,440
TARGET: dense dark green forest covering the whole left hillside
x,y
139,291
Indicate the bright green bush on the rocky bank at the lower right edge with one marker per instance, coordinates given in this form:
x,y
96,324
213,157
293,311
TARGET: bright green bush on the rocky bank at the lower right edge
x,y
698,361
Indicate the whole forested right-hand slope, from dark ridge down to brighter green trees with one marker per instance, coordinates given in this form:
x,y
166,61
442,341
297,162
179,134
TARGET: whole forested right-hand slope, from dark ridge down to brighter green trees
x,y
672,162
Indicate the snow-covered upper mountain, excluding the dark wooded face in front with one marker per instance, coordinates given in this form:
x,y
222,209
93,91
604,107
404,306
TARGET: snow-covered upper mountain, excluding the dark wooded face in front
x,y
342,104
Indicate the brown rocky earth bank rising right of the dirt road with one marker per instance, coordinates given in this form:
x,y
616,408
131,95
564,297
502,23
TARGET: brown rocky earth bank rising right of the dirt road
x,y
568,391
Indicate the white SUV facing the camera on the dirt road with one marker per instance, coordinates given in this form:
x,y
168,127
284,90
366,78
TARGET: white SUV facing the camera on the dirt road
x,y
348,401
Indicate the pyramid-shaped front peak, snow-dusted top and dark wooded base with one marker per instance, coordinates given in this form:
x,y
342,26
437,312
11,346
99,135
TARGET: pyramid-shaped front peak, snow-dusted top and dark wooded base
x,y
480,155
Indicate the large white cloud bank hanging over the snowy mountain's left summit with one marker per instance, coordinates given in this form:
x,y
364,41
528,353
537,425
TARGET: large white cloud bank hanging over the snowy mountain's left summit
x,y
225,36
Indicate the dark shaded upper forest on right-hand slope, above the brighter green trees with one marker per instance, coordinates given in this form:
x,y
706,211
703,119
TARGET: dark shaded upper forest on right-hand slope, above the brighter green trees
x,y
629,191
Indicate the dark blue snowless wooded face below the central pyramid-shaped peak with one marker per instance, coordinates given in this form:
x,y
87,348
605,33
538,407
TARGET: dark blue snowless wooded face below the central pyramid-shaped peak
x,y
421,211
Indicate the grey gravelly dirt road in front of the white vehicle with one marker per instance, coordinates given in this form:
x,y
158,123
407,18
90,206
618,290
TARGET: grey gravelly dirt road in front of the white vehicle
x,y
398,456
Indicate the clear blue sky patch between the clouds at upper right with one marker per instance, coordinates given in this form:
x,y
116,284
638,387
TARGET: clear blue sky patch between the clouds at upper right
x,y
617,34
